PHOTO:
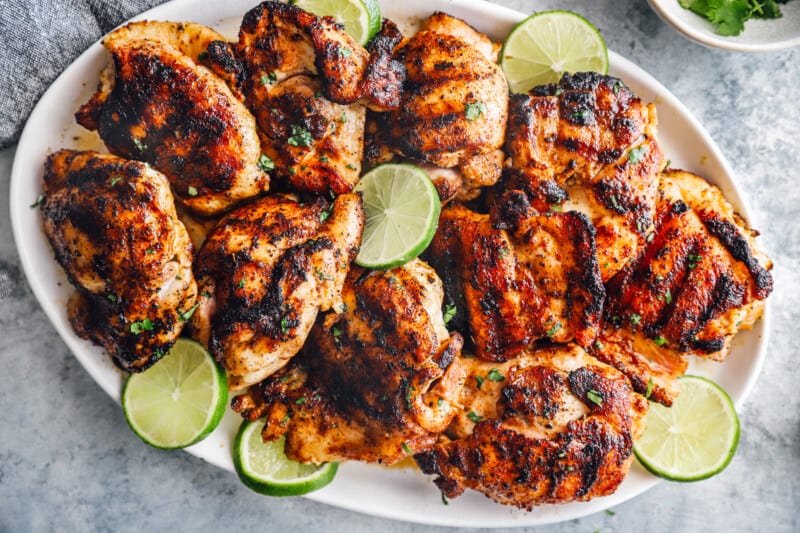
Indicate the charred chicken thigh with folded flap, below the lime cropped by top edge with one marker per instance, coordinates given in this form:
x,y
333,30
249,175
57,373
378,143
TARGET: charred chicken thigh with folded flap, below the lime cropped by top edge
x,y
303,77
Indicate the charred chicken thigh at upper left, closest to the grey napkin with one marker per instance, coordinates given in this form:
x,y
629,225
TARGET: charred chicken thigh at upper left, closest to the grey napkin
x,y
156,104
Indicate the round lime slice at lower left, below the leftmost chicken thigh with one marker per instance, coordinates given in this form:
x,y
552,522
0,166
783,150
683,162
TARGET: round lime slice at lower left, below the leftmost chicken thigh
x,y
177,401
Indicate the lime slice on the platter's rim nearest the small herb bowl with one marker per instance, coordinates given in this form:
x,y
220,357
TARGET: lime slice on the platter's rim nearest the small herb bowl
x,y
544,46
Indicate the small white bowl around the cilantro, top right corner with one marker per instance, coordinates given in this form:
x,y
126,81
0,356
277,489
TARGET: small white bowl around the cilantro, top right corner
x,y
758,35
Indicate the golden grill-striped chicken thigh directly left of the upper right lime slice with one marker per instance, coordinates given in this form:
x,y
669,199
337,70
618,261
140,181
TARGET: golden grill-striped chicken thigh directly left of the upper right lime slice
x,y
455,103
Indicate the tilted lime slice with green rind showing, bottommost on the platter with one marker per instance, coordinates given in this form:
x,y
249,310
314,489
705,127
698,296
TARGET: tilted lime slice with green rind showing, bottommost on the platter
x,y
264,467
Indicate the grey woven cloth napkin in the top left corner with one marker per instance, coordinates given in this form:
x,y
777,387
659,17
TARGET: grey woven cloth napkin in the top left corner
x,y
40,39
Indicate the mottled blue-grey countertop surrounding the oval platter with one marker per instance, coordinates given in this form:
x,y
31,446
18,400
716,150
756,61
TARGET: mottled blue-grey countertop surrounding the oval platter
x,y
56,474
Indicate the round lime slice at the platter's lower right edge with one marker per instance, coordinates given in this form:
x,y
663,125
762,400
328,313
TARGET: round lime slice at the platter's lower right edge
x,y
695,438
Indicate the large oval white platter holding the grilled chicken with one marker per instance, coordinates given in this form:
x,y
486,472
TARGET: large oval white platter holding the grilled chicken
x,y
399,493
